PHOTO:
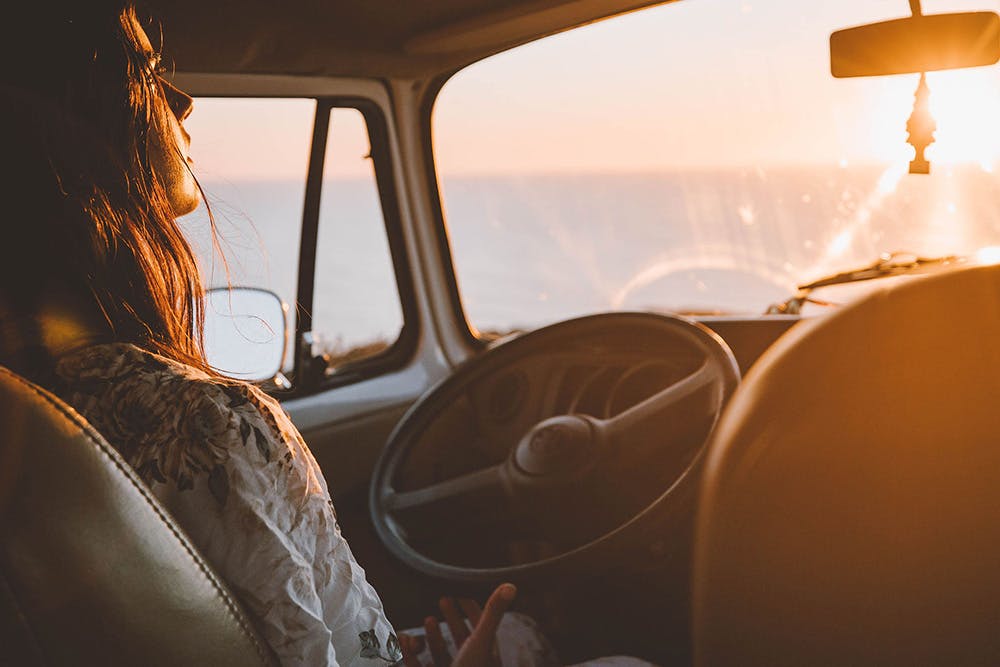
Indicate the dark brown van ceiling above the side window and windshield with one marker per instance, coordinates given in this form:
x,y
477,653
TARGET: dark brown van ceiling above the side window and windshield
x,y
383,38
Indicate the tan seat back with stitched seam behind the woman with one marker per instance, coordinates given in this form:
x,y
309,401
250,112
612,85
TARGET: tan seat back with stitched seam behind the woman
x,y
92,570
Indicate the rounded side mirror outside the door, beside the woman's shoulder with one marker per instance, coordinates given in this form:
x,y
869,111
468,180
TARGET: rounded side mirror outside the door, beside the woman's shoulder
x,y
246,333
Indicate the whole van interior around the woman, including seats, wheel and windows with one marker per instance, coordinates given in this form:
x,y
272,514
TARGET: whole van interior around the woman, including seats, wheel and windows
x,y
534,329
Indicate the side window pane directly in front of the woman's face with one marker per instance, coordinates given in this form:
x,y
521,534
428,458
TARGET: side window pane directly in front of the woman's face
x,y
251,157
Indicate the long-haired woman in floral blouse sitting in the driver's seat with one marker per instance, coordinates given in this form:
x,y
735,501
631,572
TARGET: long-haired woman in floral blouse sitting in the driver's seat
x,y
100,301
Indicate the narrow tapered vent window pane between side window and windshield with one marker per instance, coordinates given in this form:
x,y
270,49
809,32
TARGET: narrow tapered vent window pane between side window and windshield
x,y
356,310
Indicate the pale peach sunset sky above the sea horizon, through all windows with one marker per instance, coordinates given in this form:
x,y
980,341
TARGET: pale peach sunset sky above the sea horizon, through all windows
x,y
696,84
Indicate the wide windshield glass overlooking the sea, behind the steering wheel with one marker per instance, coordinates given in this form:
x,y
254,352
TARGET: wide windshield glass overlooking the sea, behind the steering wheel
x,y
699,157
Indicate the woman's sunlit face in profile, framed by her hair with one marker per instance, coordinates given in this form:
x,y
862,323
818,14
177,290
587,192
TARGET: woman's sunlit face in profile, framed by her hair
x,y
168,143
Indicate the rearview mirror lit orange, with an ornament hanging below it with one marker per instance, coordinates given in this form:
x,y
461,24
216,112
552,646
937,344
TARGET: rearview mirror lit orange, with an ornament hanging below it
x,y
922,43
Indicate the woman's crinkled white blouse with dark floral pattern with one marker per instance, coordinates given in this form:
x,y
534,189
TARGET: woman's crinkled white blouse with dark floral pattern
x,y
227,462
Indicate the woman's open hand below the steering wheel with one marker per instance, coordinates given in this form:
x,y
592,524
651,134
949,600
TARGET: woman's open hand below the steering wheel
x,y
476,648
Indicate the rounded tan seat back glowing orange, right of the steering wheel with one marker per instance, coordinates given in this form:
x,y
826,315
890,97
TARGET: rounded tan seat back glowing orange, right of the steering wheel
x,y
850,513
